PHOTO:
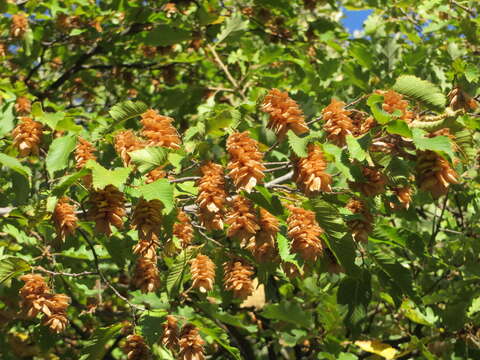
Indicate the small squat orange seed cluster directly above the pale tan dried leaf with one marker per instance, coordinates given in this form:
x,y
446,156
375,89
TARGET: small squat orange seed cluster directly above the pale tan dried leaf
x,y
238,278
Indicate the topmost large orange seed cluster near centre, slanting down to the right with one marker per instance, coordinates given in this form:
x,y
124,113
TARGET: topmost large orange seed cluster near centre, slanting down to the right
x,y
285,114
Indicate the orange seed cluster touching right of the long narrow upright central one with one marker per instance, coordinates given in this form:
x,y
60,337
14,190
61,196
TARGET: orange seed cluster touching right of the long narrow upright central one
x,y
242,220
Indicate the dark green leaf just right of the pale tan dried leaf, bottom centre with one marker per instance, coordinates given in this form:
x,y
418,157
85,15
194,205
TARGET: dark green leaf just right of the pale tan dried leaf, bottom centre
x,y
290,312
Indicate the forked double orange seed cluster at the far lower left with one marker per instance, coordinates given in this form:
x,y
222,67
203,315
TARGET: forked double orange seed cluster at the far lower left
x,y
38,298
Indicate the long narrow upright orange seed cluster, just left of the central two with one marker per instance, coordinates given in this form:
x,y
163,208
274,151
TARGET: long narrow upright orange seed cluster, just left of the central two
x,y
211,196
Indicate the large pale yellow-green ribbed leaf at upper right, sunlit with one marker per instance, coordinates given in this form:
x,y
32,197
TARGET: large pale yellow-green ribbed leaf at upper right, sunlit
x,y
420,90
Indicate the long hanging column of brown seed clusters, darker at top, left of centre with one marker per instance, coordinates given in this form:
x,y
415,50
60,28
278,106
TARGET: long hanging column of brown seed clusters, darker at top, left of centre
x,y
147,219
